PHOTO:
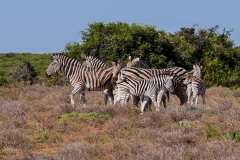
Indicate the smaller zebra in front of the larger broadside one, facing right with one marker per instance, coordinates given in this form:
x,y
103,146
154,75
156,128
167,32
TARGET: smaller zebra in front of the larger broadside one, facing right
x,y
153,89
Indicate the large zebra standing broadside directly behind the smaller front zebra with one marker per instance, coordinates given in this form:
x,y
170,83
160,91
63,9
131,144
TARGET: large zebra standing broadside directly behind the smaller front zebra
x,y
139,73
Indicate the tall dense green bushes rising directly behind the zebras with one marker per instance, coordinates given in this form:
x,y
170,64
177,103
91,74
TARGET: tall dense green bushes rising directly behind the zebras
x,y
213,48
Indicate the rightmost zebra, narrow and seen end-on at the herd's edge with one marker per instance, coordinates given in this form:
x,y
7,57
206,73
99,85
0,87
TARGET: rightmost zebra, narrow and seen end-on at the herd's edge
x,y
195,85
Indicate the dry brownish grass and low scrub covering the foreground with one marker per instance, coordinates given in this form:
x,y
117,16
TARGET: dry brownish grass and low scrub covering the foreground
x,y
37,122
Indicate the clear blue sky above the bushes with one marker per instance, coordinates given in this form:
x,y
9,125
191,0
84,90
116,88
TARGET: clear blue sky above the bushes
x,y
47,25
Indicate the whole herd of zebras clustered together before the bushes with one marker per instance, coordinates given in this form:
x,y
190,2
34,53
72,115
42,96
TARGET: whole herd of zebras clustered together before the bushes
x,y
135,80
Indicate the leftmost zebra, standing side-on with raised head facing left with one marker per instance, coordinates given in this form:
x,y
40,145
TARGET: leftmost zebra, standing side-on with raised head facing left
x,y
82,78
